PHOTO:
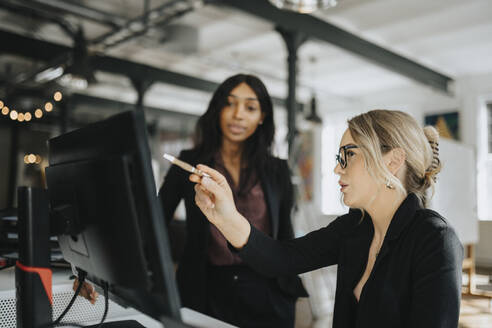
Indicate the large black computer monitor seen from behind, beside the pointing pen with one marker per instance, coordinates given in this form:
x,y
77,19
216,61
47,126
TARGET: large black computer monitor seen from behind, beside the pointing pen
x,y
110,224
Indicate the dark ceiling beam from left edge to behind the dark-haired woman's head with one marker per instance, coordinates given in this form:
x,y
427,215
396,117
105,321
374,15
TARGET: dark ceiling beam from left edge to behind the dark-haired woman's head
x,y
46,51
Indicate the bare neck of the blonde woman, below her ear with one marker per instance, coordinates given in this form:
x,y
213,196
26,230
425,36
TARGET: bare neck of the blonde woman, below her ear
x,y
382,210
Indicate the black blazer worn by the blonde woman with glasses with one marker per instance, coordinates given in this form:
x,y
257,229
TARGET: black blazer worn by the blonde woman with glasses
x,y
416,279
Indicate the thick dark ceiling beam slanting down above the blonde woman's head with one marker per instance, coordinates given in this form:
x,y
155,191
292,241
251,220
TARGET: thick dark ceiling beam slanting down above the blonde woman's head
x,y
319,29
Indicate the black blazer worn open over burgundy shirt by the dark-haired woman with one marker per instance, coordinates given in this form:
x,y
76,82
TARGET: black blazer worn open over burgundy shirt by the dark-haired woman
x,y
191,274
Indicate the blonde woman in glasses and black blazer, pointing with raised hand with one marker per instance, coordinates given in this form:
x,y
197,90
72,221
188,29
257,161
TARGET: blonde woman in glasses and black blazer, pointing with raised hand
x,y
399,263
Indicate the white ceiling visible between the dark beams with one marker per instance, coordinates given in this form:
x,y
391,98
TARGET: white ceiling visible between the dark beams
x,y
453,37
